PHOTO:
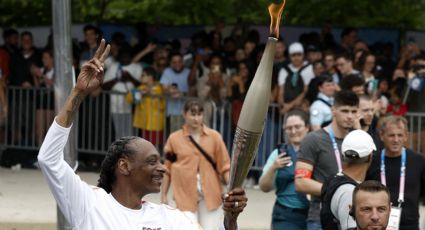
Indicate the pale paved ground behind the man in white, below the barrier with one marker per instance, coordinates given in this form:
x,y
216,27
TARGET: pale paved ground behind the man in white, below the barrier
x,y
27,204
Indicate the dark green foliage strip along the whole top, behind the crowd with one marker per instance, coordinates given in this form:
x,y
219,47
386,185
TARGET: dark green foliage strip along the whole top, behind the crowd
x,y
406,14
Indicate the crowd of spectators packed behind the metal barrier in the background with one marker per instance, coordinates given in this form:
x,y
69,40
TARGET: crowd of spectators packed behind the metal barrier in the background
x,y
218,70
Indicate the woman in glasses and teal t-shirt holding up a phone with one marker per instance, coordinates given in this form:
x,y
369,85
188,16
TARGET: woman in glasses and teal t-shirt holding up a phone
x,y
291,208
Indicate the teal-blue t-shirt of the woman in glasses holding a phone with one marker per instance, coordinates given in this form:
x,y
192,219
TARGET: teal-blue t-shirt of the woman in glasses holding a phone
x,y
284,181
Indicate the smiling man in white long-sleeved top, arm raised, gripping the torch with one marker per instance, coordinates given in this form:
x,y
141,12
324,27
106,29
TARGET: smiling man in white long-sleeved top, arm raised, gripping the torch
x,y
130,170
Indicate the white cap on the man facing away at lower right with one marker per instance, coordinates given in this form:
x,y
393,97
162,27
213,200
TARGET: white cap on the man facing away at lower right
x,y
358,141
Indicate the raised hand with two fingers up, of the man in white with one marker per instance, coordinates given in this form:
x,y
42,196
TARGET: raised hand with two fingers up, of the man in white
x,y
91,75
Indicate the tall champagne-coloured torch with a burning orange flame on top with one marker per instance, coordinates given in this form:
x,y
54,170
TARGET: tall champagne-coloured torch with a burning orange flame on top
x,y
254,109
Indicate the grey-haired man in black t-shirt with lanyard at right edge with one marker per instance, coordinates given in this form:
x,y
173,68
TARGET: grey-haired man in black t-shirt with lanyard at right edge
x,y
393,133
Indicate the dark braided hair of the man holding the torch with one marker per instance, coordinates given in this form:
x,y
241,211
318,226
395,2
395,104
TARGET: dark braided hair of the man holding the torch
x,y
117,150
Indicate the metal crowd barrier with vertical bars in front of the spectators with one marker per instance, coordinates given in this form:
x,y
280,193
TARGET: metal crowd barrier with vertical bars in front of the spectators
x,y
104,117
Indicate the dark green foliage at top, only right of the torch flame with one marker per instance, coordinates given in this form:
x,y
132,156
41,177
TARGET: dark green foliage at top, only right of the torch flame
x,y
406,14
